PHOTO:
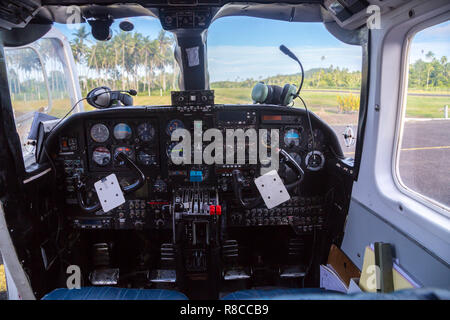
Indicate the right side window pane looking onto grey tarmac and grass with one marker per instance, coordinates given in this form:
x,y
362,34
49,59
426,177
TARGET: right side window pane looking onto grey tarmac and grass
x,y
424,148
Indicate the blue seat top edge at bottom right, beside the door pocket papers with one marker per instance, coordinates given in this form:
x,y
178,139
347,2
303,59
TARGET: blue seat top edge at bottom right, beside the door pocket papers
x,y
321,294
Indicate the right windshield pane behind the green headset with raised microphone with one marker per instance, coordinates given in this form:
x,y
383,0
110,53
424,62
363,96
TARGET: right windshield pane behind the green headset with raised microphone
x,y
243,51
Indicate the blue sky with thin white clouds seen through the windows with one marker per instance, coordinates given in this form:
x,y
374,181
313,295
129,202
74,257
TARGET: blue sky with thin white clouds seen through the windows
x,y
247,47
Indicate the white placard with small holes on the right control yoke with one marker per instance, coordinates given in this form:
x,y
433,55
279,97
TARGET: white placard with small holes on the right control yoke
x,y
272,189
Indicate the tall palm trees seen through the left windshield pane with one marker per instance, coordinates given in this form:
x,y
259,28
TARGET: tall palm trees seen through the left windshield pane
x,y
126,61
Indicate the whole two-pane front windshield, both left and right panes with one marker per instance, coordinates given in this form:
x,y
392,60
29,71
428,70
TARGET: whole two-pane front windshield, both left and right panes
x,y
241,52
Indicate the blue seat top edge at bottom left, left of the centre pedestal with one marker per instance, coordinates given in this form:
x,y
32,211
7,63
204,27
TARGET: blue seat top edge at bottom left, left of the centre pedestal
x,y
112,293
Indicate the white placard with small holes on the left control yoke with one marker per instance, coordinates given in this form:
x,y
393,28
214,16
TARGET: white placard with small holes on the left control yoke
x,y
109,192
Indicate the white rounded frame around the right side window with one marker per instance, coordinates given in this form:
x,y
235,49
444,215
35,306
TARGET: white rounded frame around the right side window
x,y
401,115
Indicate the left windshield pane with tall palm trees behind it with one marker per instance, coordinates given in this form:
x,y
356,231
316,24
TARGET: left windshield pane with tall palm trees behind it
x,y
141,59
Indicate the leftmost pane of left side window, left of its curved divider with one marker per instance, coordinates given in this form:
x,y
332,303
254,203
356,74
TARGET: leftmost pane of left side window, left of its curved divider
x,y
29,91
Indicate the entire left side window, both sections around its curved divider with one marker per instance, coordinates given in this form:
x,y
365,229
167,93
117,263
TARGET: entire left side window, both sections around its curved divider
x,y
38,82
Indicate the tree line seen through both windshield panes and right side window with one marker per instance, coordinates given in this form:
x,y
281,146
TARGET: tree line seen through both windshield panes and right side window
x,y
132,60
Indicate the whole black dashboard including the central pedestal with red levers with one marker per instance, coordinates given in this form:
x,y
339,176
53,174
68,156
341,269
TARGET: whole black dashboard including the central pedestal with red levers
x,y
199,222
